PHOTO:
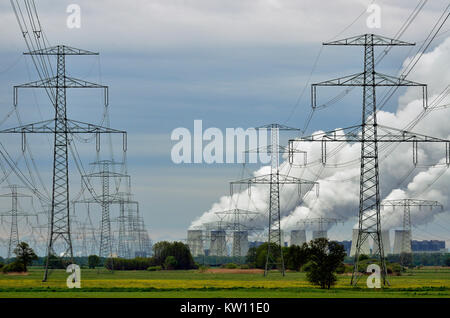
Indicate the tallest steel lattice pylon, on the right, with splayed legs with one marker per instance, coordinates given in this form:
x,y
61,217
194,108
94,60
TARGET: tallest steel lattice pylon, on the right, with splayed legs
x,y
369,134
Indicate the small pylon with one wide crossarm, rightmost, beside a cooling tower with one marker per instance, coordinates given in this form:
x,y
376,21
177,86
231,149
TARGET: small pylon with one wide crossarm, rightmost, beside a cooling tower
x,y
406,251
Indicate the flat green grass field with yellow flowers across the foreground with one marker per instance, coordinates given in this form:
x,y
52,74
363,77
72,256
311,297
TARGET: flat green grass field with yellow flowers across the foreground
x,y
193,284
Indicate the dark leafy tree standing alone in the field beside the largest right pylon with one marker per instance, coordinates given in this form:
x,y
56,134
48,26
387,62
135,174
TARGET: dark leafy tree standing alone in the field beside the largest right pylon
x,y
325,258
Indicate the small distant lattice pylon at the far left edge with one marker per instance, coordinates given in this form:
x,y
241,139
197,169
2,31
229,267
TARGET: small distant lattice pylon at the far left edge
x,y
14,213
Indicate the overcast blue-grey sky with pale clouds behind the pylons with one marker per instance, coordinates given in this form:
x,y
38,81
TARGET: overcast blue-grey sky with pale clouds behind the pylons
x,y
234,63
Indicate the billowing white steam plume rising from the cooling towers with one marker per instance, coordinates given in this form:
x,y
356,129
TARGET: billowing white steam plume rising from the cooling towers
x,y
339,185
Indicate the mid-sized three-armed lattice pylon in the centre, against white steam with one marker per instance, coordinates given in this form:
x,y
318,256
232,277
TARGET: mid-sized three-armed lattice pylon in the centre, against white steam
x,y
274,179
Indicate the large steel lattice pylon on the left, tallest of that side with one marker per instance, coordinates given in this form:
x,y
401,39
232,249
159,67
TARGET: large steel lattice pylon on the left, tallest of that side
x,y
61,127
